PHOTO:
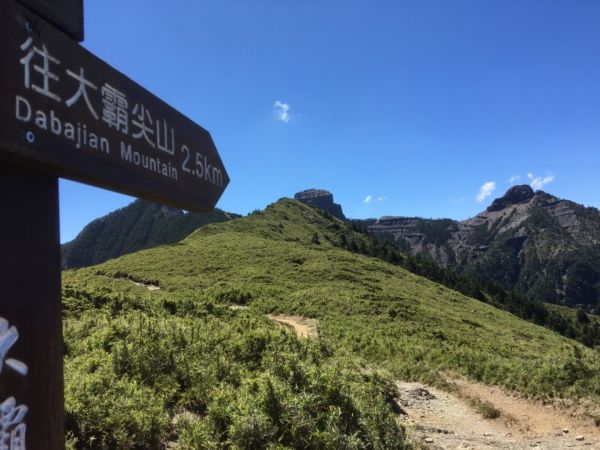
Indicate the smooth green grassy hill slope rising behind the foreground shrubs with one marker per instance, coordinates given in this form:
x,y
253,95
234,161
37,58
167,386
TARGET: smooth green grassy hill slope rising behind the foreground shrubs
x,y
404,323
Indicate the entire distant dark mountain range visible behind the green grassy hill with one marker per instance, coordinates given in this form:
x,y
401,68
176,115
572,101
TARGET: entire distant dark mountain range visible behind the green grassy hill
x,y
531,242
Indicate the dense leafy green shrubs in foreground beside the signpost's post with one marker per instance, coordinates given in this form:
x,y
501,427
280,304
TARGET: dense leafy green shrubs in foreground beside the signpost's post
x,y
144,378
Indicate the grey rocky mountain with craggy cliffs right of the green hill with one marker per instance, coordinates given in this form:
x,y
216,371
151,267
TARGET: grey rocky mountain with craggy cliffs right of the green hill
x,y
529,241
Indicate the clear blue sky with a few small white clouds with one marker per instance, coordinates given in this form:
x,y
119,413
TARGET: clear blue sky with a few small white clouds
x,y
398,107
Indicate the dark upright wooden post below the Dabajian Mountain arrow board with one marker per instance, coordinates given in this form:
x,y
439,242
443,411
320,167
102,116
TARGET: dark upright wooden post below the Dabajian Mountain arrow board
x,y
30,301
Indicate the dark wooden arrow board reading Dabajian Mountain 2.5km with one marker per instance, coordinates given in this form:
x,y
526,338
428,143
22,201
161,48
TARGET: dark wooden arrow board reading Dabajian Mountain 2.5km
x,y
66,112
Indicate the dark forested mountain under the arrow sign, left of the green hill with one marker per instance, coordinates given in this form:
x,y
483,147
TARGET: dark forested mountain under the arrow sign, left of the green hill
x,y
135,227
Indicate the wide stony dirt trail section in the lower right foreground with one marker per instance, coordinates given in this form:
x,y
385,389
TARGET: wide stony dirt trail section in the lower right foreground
x,y
440,420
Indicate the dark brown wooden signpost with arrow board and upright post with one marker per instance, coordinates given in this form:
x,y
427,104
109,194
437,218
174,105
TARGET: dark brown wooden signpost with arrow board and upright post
x,y
66,113
